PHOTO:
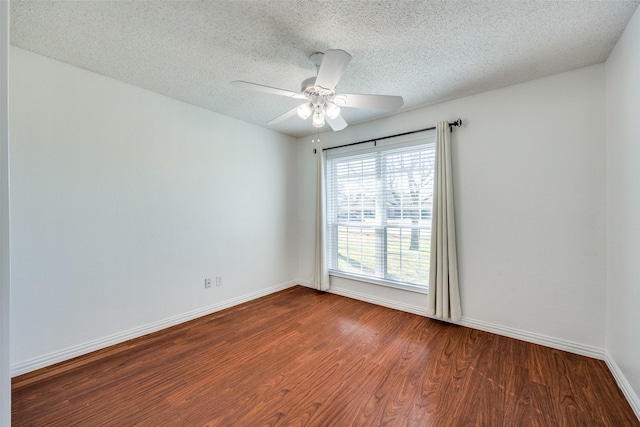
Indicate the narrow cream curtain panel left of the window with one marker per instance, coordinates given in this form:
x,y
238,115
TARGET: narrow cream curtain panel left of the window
x,y
321,269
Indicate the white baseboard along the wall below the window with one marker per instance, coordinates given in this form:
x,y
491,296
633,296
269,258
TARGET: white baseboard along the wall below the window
x,y
559,344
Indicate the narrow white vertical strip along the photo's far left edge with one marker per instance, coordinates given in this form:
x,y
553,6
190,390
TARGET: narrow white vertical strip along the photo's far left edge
x,y
5,355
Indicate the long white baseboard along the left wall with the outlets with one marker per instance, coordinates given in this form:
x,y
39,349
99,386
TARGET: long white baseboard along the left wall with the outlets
x,y
98,344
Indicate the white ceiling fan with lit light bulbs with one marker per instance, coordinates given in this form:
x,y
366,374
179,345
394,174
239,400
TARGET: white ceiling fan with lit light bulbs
x,y
322,103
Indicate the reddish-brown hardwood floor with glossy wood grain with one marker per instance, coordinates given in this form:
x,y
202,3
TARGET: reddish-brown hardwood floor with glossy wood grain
x,y
300,357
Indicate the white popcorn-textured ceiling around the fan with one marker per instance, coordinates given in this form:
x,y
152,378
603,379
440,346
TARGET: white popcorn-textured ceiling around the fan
x,y
427,52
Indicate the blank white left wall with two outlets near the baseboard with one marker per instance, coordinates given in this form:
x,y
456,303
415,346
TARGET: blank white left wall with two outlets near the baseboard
x,y
123,201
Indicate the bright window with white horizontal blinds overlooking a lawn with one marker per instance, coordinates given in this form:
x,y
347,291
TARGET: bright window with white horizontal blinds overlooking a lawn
x,y
379,214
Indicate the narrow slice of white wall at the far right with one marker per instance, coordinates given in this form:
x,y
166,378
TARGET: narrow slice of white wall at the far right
x,y
623,207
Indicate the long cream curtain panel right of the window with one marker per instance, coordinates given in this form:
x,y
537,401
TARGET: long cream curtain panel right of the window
x,y
444,293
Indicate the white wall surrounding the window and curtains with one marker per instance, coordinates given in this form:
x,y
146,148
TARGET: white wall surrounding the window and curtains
x,y
529,175
